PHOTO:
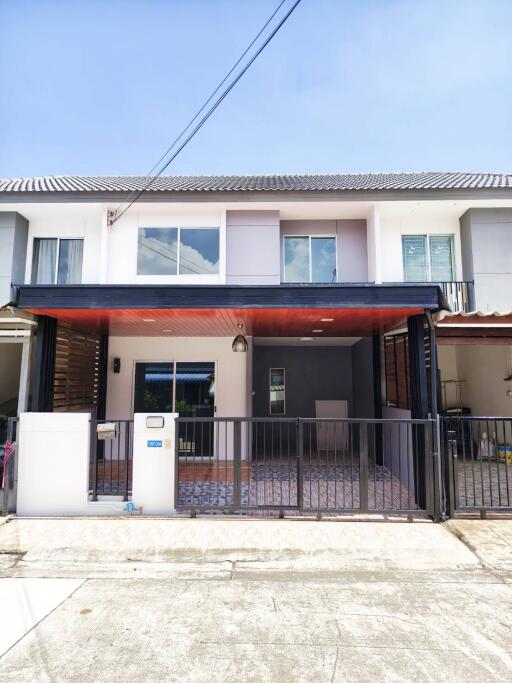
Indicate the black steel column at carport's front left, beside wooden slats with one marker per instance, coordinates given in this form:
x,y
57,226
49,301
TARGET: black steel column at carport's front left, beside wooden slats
x,y
44,365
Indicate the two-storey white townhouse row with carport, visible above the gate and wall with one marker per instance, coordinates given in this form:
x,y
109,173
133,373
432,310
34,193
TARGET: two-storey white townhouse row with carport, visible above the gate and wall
x,y
268,297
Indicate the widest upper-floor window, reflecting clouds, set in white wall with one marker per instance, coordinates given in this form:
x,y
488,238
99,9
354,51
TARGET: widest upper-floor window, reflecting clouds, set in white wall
x,y
173,251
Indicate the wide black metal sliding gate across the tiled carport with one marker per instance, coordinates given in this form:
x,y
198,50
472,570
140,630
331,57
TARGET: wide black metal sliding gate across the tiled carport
x,y
310,466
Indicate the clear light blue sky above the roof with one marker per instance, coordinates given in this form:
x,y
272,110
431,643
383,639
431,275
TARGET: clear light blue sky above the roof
x,y
102,86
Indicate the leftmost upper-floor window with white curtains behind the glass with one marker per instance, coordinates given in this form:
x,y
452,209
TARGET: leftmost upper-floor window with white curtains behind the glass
x,y
57,261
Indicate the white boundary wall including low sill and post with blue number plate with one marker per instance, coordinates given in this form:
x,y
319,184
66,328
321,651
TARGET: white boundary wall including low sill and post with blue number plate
x,y
53,453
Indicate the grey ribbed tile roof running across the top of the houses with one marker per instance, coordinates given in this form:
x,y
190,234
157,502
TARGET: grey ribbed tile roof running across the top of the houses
x,y
425,180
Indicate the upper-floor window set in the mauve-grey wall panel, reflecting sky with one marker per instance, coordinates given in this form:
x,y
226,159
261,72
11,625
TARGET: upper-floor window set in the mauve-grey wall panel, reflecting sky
x,y
310,259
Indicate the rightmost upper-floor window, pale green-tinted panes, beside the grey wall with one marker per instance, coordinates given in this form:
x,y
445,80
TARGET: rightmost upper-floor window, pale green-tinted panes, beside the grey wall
x,y
428,258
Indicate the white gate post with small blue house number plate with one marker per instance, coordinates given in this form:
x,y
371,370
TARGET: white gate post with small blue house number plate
x,y
154,462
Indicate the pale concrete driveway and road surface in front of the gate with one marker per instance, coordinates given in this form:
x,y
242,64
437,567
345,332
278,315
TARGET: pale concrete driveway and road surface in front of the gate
x,y
251,600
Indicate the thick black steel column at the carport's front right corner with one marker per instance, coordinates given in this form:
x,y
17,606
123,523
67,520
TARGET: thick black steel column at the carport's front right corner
x,y
419,401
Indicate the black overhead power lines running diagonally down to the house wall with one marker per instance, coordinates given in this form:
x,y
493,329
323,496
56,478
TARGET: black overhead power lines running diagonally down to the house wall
x,y
136,194
